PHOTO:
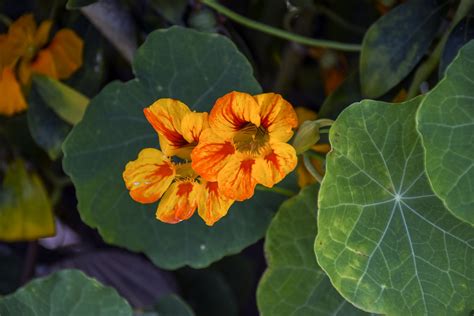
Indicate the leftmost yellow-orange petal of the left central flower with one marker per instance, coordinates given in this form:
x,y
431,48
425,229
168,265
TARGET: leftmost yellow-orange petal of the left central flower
x,y
149,176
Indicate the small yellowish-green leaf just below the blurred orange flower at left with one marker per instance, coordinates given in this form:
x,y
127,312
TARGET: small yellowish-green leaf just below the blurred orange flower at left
x,y
68,103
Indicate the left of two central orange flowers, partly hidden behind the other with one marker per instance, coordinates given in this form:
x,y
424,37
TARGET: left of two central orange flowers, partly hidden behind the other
x,y
155,176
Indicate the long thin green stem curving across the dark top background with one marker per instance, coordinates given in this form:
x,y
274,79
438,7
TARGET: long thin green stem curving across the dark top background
x,y
278,32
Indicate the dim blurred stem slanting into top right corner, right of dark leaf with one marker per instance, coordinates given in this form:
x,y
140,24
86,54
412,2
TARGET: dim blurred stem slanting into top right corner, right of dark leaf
x,y
427,67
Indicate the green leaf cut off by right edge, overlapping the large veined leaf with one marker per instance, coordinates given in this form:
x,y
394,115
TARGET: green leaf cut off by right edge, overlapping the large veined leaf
x,y
446,124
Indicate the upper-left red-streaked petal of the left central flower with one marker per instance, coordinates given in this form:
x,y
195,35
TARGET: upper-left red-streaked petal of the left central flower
x,y
165,115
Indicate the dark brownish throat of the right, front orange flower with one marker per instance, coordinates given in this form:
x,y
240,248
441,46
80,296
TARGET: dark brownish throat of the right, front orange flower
x,y
251,138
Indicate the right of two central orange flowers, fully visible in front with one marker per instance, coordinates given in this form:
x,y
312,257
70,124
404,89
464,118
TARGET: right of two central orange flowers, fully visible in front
x,y
246,143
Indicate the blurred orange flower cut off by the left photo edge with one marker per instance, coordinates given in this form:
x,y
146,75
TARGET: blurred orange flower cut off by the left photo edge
x,y
20,56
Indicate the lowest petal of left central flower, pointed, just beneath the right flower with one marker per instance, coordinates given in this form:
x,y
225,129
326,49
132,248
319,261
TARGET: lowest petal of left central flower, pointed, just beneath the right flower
x,y
212,204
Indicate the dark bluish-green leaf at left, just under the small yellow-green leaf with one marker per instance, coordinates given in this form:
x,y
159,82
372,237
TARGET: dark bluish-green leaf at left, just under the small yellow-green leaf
x,y
47,129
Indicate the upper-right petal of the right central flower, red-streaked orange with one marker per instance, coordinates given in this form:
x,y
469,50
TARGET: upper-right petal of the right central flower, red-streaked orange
x,y
278,116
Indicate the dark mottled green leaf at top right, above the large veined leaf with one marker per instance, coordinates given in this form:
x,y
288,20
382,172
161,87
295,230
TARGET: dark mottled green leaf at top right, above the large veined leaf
x,y
395,44
